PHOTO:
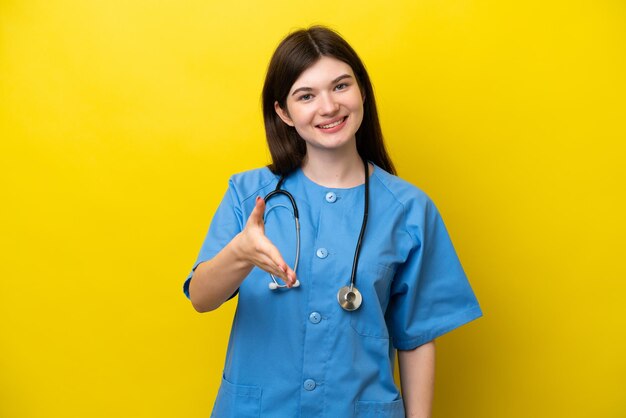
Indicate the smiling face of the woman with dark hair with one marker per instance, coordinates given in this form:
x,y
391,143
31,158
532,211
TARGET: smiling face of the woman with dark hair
x,y
325,105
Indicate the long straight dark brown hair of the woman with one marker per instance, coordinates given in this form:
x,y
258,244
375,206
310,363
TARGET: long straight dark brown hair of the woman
x,y
297,52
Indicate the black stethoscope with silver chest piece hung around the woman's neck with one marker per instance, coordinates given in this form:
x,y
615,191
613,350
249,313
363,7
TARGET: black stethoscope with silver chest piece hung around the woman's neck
x,y
349,297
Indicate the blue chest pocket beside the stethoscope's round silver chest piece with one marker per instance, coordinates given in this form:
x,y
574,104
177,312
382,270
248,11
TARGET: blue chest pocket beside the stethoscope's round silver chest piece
x,y
374,283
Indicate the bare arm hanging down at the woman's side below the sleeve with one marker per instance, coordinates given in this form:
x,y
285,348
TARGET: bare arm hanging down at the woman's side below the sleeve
x,y
417,377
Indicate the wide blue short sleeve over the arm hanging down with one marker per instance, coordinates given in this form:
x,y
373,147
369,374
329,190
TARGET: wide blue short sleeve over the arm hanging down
x,y
430,294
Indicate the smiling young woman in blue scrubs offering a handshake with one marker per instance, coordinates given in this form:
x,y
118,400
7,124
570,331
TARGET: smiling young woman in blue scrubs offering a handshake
x,y
334,276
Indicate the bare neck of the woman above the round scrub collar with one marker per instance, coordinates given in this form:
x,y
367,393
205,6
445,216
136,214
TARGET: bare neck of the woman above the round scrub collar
x,y
336,169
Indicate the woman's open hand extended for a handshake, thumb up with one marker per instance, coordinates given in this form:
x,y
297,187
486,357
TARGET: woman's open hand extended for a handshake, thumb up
x,y
257,249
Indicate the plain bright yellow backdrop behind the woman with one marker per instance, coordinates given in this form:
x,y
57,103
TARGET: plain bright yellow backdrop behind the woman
x,y
120,123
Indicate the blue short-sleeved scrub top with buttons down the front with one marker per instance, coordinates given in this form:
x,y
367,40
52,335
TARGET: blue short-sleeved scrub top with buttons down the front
x,y
296,352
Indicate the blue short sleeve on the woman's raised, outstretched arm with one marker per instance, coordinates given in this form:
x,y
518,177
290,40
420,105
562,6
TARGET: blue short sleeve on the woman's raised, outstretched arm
x,y
227,222
